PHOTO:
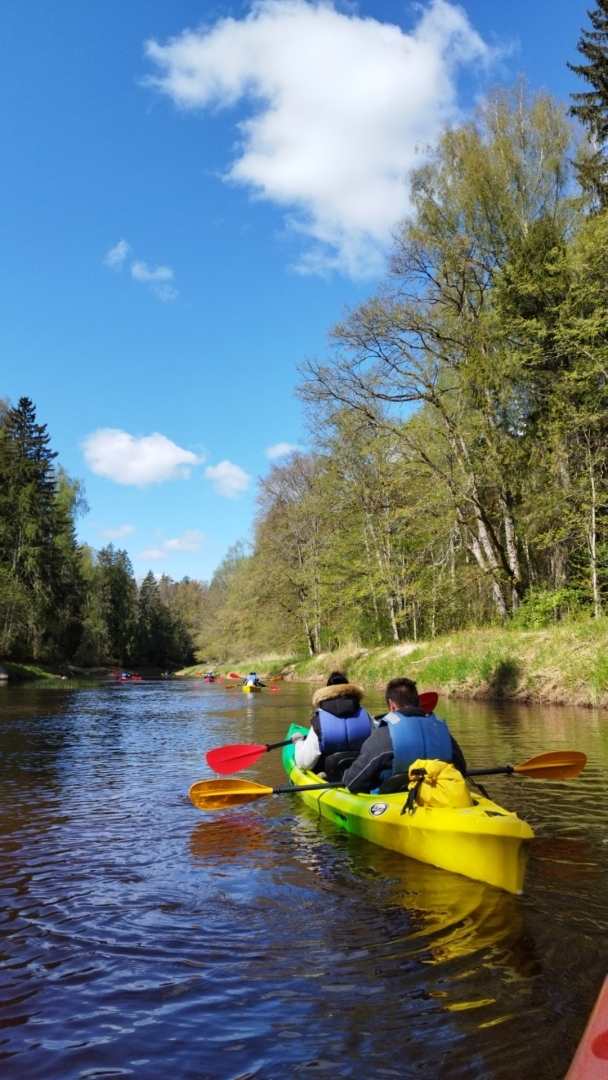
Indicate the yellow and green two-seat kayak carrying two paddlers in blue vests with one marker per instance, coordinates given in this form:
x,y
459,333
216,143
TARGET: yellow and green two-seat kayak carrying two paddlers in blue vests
x,y
484,842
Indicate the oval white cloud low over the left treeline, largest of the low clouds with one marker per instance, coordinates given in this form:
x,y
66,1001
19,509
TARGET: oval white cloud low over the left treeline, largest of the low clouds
x,y
127,460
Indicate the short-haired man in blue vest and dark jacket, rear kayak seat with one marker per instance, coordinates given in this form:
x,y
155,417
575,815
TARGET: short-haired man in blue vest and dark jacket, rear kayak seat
x,y
404,736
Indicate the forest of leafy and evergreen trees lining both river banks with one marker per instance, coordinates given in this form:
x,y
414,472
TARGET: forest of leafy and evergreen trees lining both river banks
x,y
458,466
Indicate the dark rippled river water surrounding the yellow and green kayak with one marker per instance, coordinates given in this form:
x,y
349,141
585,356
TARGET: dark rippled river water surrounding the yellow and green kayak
x,y
141,938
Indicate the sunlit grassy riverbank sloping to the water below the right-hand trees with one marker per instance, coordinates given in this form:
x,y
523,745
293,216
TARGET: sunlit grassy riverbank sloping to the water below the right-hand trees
x,y
566,664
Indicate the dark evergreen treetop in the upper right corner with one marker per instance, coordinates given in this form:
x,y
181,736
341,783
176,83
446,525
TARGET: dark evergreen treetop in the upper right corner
x,y
591,107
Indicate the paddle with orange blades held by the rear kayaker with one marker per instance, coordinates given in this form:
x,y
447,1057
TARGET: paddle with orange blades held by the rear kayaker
x,y
221,794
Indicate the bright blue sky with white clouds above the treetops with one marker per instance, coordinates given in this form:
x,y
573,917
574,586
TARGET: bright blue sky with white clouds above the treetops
x,y
191,195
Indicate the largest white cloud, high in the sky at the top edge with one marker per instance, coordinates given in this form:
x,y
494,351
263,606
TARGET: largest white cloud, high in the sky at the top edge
x,y
339,105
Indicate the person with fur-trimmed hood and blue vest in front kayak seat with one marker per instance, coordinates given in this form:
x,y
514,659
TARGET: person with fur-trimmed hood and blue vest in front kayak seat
x,y
341,723
